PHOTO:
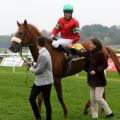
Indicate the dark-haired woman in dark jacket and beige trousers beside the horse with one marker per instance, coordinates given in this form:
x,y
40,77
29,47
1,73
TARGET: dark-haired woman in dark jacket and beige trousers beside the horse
x,y
96,78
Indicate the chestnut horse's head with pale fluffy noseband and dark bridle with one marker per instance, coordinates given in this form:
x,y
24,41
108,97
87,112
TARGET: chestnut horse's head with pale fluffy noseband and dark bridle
x,y
23,37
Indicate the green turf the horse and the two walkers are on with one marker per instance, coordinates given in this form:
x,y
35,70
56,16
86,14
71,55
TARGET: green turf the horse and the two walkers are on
x,y
14,94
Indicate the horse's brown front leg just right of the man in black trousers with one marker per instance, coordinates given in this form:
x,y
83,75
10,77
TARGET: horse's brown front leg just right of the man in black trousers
x,y
58,87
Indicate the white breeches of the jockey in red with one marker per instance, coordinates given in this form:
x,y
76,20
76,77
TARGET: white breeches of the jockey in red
x,y
61,41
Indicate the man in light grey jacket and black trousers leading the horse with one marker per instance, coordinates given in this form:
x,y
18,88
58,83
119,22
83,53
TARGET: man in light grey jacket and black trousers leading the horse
x,y
44,79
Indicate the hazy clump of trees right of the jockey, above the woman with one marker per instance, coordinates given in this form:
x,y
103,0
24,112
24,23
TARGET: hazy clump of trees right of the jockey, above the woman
x,y
107,35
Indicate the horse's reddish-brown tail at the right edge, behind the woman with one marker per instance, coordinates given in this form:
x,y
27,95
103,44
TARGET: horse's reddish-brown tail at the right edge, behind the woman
x,y
114,58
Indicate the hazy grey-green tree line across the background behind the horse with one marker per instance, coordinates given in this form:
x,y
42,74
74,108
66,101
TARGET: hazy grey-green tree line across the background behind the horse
x,y
108,35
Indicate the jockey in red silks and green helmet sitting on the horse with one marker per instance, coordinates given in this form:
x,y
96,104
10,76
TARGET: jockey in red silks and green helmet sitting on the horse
x,y
68,28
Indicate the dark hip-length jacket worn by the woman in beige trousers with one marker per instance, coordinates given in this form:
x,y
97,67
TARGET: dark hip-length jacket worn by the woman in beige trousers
x,y
97,62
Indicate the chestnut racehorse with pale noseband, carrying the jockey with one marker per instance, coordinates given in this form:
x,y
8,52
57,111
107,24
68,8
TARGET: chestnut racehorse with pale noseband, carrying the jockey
x,y
27,35
